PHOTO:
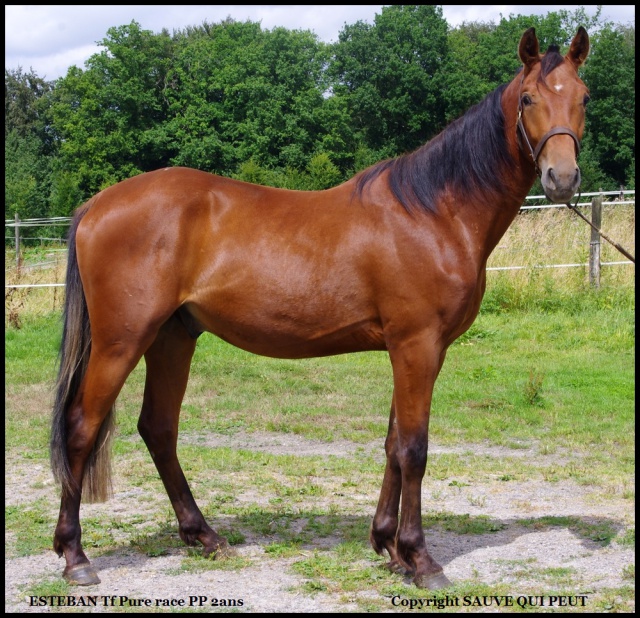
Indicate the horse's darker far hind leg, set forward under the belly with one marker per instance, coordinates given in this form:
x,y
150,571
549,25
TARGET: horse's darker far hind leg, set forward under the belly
x,y
168,361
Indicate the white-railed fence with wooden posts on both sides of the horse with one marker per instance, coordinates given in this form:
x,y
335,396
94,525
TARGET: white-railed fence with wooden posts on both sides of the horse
x,y
621,197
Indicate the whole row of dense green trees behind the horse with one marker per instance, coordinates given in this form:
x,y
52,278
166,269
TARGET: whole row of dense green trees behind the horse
x,y
282,108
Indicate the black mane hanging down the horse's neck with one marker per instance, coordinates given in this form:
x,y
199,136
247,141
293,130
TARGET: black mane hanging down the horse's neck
x,y
465,155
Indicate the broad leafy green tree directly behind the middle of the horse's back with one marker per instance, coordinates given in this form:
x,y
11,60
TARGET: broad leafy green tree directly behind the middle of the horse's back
x,y
246,93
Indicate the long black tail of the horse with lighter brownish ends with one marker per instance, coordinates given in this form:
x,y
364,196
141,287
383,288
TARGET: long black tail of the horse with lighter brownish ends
x,y
74,357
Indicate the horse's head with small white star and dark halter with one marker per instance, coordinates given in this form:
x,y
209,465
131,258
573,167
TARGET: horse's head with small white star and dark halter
x,y
551,112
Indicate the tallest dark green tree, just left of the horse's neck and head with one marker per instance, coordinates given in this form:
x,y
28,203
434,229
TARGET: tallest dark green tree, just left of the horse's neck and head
x,y
391,75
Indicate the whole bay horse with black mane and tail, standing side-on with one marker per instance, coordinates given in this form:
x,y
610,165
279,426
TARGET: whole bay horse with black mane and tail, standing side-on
x,y
393,259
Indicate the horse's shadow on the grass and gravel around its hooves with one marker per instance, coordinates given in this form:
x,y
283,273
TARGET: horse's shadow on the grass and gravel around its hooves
x,y
448,538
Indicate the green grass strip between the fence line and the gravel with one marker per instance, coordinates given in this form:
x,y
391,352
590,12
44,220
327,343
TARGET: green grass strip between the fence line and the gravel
x,y
564,379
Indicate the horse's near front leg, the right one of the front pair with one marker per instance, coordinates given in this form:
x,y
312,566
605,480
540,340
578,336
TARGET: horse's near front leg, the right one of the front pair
x,y
416,365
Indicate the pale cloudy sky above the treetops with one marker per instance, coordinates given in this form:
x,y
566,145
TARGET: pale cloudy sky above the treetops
x,y
50,39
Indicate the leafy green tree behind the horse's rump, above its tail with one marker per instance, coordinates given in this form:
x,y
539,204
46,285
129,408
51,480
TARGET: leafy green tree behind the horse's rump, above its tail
x,y
109,119
